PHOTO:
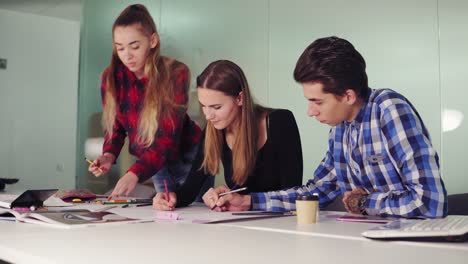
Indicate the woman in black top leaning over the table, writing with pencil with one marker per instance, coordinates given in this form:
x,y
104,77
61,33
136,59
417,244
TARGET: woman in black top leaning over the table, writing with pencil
x,y
259,148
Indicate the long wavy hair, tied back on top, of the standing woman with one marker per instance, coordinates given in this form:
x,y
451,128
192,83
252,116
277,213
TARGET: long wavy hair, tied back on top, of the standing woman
x,y
158,100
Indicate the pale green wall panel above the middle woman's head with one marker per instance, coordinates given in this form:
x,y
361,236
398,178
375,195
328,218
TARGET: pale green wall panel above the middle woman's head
x,y
203,31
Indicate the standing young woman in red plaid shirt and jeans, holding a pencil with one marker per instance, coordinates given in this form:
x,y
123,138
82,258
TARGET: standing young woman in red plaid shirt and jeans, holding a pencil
x,y
144,97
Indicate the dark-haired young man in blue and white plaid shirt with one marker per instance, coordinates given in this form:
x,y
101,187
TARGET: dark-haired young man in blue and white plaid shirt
x,y
380,157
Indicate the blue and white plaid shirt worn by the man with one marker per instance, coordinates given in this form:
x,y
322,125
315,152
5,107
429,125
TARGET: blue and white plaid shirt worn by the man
x,y
385,150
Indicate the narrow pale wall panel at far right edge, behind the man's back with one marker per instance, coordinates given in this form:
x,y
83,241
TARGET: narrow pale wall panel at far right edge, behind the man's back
x,y
454,79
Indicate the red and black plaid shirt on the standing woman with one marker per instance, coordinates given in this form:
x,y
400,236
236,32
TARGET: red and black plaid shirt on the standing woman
x,y
174,135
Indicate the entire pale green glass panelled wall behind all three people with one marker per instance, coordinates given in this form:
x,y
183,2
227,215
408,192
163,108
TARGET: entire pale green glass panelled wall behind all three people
x,y
417,48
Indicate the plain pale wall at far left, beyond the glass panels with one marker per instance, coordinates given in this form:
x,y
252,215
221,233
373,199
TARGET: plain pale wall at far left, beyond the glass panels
x,y
38,100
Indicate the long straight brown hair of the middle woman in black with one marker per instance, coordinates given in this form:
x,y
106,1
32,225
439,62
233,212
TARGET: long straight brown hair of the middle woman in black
x,y
225,76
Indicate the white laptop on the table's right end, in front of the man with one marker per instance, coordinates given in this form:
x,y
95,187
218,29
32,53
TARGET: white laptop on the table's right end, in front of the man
x,y
453,228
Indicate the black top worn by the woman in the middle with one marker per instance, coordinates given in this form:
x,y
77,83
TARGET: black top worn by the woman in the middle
x,y
278,164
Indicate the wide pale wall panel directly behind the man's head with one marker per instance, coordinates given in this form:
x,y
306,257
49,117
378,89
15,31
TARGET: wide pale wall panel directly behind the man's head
x,y
400,54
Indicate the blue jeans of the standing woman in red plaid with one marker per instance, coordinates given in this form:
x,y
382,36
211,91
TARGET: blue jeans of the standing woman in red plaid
x,y
175,173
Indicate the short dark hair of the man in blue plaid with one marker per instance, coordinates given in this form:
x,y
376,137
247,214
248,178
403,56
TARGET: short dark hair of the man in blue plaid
x,y
336,64
